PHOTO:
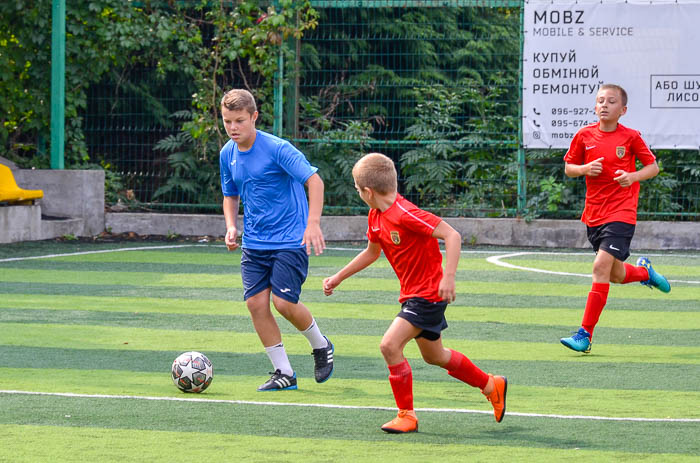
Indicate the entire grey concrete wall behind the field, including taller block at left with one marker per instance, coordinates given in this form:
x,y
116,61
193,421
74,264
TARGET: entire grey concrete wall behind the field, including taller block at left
x,y
78,197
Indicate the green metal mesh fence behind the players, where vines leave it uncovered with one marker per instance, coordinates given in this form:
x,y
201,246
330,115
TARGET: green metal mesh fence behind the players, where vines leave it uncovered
x,y
435,85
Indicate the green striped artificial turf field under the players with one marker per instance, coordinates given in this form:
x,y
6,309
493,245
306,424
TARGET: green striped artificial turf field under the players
x,y
88,333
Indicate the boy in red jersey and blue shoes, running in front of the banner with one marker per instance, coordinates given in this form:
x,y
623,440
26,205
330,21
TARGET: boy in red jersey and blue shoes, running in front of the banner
x,y
605,153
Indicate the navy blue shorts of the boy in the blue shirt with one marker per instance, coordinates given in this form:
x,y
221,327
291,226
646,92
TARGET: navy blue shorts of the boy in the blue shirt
x,y
283,270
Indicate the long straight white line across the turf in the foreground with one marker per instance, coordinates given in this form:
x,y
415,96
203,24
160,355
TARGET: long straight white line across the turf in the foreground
x,y
349,407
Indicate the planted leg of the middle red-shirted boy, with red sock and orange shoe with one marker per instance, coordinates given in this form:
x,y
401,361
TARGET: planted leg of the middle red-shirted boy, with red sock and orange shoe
x,y
400,375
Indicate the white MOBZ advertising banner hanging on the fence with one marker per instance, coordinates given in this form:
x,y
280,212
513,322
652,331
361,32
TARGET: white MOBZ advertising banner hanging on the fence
x,y
651,49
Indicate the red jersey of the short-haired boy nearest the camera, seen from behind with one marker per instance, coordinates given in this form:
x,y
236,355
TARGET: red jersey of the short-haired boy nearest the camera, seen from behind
x,y
405,234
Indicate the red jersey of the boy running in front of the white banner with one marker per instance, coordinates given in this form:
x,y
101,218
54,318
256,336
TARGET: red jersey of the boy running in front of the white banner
x,y
606,200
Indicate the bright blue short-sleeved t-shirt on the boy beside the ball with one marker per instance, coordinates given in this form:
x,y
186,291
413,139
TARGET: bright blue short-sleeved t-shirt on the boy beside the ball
x,y
269,178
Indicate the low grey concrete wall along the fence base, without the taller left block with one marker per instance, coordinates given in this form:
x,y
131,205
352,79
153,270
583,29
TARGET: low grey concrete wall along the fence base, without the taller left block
x,y
499,232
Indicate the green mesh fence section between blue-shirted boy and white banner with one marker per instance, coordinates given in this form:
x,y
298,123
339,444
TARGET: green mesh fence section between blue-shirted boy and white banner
x,y
433,85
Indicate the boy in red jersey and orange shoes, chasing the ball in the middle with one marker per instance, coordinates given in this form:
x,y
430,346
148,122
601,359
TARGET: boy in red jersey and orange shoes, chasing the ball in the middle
x,y
408,236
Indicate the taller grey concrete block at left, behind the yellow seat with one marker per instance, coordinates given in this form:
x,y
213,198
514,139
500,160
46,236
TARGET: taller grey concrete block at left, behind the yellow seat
x,y
74,194
